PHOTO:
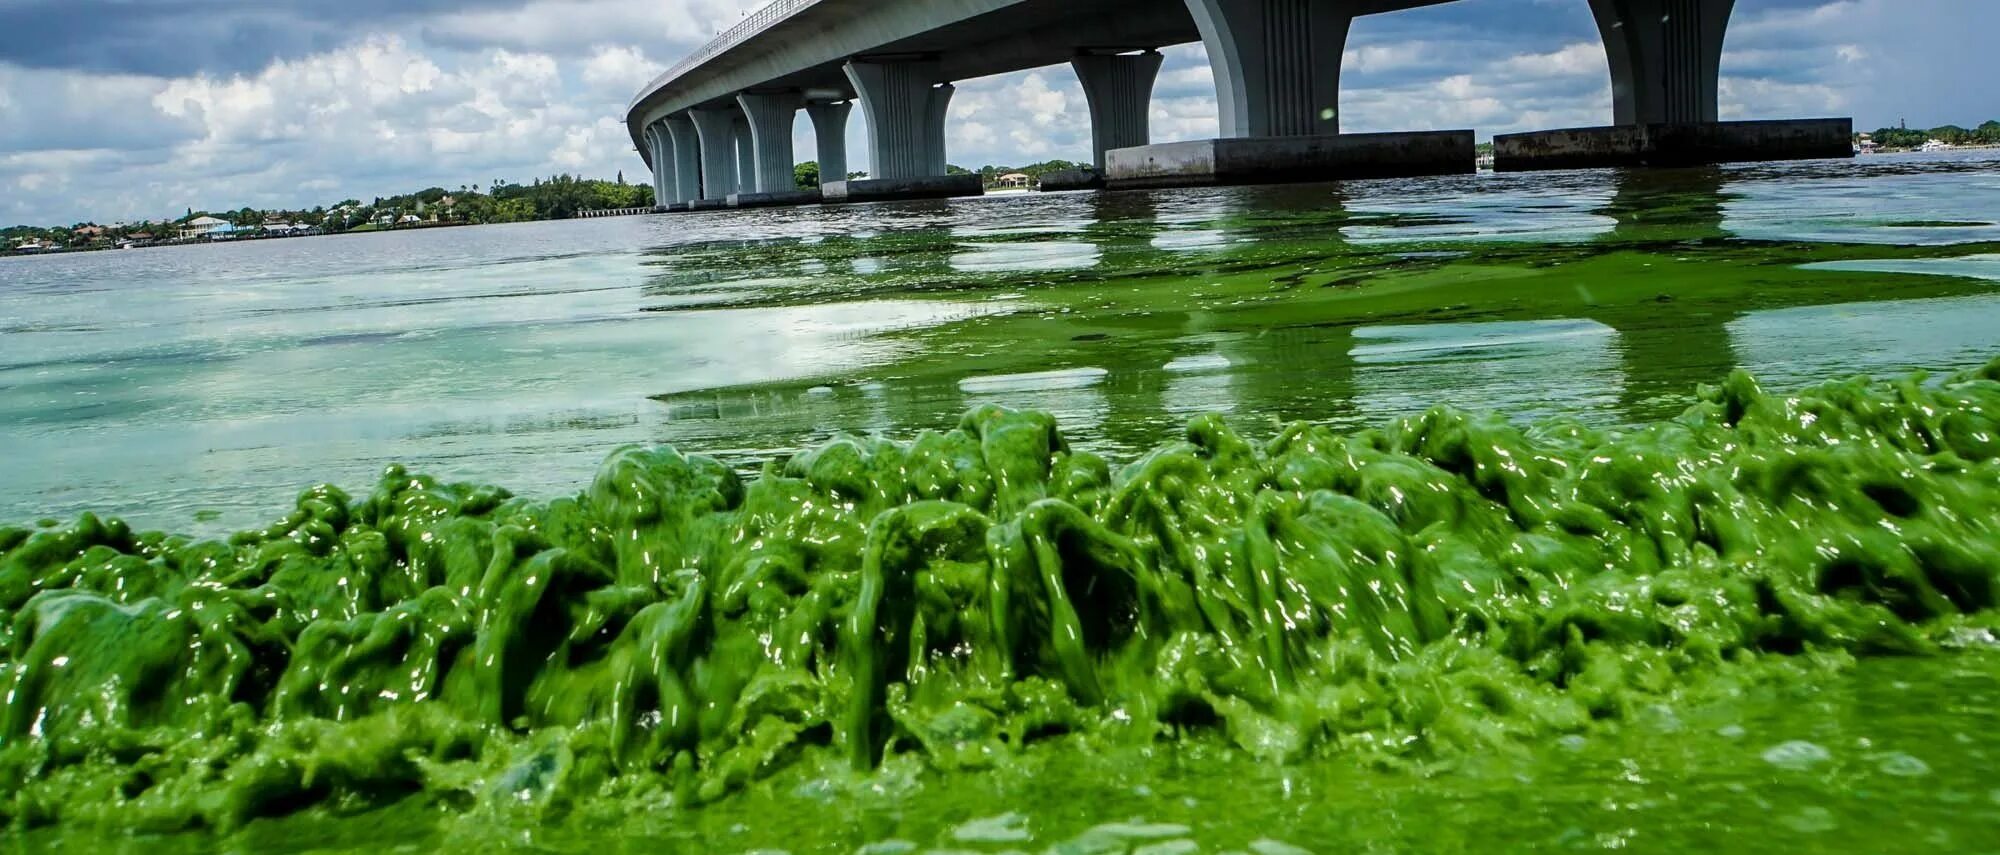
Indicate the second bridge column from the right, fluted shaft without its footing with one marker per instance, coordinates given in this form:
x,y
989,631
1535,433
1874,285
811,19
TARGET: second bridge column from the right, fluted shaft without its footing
x,y
1277,65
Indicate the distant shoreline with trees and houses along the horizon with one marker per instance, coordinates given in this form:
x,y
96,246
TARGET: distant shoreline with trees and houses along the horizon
x,y
573,197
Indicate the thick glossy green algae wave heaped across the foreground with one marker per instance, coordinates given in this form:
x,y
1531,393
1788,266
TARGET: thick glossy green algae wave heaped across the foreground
x,y
1449,582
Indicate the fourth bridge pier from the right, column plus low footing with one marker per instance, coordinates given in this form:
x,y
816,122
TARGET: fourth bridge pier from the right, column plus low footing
x,y
905,105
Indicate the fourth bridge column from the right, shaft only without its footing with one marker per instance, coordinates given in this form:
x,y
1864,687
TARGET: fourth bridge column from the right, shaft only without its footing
x,y
905,117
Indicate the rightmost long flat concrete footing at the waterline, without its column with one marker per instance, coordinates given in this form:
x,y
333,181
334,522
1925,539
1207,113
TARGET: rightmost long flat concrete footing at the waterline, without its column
x,y
1675,145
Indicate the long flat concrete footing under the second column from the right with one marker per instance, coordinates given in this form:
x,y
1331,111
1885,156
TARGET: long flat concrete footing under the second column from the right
x,y
1291,159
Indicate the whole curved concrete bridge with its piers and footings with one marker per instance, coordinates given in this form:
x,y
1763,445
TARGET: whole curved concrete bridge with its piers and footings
x,y
717,129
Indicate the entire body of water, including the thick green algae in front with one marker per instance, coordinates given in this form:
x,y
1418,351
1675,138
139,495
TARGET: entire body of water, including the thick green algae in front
x,y
1761,622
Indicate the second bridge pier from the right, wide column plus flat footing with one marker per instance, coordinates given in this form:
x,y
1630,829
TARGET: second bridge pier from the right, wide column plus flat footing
x,y
1277,67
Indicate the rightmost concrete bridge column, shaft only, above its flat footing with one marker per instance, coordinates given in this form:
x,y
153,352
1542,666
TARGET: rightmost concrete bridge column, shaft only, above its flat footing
x,y
1665,57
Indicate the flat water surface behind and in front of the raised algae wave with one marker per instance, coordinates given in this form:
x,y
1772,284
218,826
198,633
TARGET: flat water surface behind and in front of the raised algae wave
x,y
201,389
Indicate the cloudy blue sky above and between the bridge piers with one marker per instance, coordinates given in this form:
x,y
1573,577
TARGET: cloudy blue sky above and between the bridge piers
x,y
143,109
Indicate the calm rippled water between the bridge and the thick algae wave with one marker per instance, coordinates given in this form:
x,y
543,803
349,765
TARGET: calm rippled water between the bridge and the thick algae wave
x,y
231,377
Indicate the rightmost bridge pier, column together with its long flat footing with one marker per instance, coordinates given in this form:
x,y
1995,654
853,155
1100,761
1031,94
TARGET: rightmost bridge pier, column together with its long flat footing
x,y
1667,67
